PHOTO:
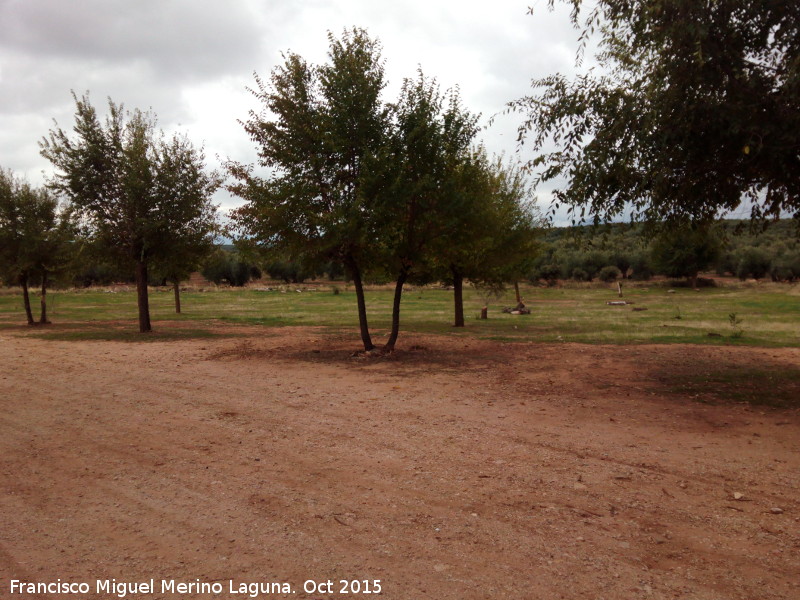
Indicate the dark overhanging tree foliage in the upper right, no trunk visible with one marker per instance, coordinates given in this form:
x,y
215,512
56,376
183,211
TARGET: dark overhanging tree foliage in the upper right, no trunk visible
x,y
695,111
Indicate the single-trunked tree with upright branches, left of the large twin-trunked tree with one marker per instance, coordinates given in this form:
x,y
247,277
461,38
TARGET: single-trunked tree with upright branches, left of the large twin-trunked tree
x,y
140,192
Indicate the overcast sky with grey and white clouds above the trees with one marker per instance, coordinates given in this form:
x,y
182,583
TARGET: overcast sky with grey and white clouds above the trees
x,y
190,61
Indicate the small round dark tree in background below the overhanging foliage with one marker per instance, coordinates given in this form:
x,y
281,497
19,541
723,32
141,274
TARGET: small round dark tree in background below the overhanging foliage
x,y
685,253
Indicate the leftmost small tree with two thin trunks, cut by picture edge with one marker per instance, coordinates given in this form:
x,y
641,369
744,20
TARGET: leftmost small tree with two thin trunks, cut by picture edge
x,y
37,238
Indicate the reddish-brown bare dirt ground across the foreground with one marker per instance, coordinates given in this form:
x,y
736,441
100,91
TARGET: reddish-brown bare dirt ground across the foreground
x,y
456,469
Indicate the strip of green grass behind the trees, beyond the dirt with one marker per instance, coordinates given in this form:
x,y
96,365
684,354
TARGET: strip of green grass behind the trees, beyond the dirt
x,y
770,313
